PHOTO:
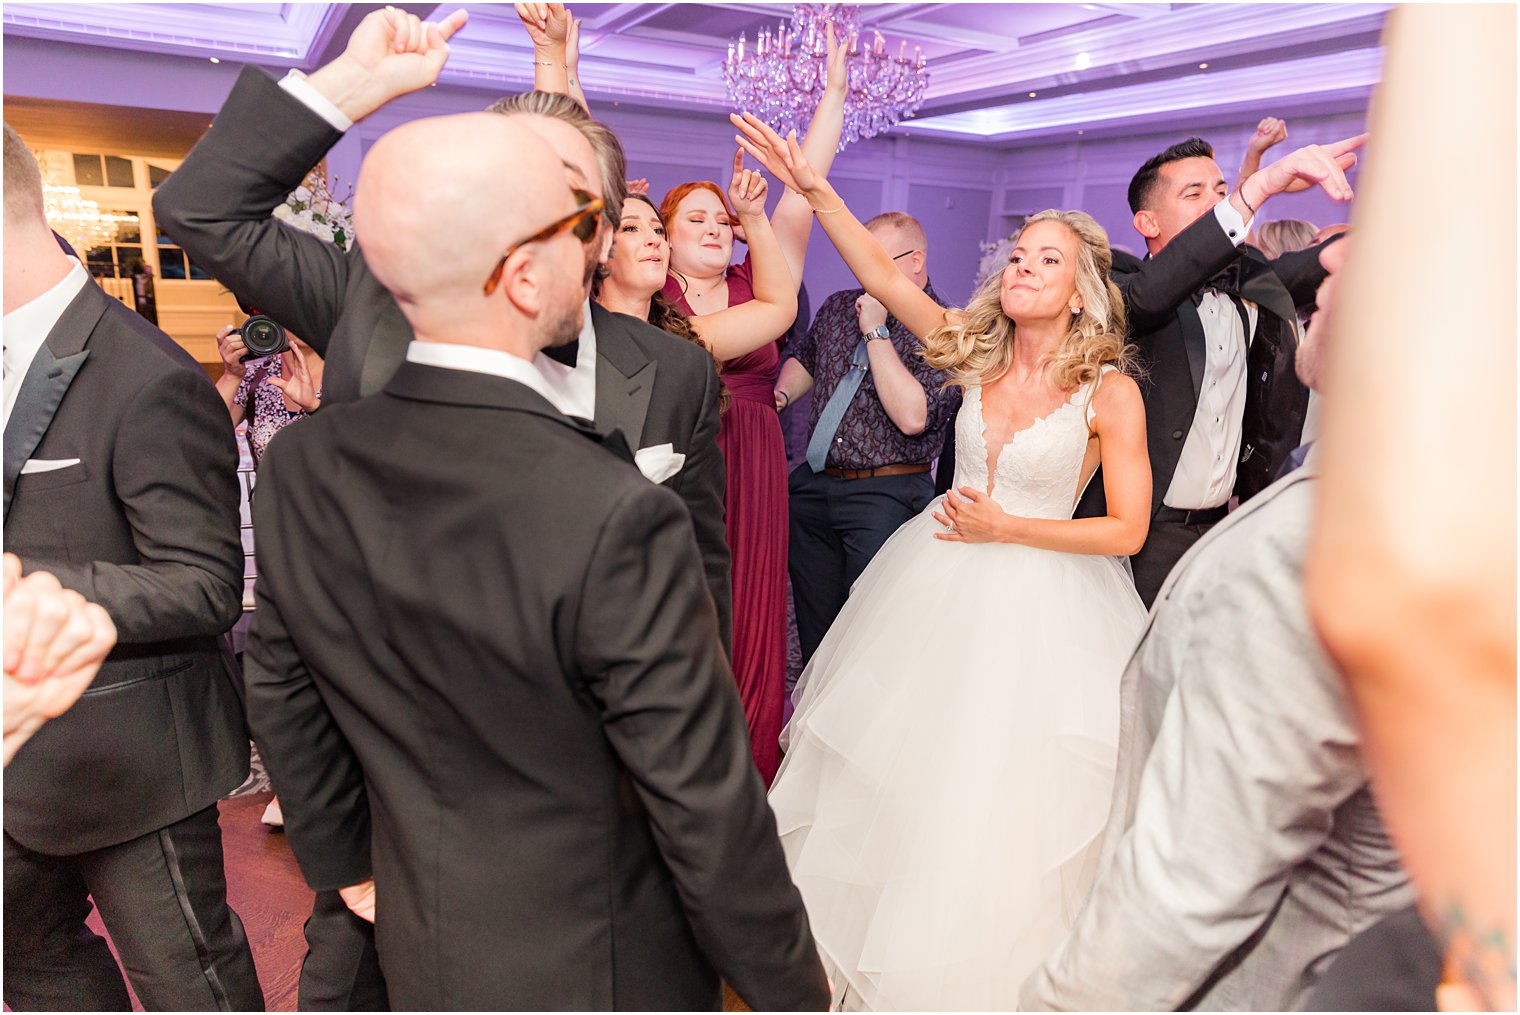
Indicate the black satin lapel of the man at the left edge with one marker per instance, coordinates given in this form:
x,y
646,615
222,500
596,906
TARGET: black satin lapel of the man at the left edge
x,y
48,381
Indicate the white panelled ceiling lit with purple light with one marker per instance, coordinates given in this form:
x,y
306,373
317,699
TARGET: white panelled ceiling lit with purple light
x,y
1089,66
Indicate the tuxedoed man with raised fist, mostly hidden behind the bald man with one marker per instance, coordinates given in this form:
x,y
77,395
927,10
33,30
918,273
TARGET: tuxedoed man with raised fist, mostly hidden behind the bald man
x,y
622,373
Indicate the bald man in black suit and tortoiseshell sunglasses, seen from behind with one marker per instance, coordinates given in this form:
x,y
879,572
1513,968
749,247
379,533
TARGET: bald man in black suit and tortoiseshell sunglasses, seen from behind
x,y
484,669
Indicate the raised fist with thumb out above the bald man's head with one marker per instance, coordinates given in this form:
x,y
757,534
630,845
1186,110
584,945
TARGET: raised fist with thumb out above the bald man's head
x,y
391,54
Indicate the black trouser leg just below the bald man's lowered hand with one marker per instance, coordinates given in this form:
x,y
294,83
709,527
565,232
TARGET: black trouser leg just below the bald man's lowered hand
x,y
341,972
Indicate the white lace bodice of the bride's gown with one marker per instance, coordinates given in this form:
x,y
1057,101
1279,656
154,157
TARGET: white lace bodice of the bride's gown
x,y
1040,466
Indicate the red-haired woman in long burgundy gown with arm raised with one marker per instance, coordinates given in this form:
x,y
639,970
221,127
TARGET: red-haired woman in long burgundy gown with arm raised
x,y
703,282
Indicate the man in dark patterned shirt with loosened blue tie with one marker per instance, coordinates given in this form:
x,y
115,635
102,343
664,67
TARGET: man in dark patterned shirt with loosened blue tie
x,y
876,425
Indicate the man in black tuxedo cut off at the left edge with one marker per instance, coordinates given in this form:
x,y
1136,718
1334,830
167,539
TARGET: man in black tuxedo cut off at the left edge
x,y
121,478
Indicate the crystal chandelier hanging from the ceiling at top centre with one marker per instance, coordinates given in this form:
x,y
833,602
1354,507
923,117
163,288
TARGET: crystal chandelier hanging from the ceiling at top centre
x,y
781,78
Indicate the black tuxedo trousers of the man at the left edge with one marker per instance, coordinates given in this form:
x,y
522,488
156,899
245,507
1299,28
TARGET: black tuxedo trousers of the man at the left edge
x,y
163,899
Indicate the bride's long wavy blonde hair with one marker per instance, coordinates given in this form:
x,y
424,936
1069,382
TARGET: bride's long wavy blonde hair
x,y
981,347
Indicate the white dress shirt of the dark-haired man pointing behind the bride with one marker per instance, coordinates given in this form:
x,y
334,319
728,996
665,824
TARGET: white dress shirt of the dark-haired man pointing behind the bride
x,y
1206,470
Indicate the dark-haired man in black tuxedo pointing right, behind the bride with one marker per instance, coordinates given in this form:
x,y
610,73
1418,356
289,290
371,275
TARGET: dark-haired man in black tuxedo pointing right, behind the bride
x,y
1217,330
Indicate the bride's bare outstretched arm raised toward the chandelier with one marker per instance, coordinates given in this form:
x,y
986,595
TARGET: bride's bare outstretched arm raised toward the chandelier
x,y
866,258
